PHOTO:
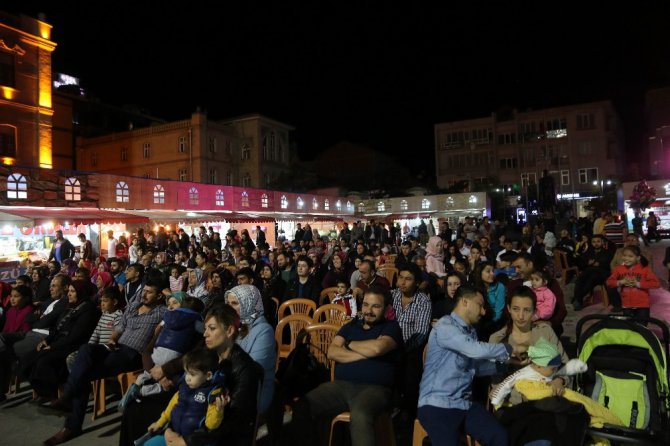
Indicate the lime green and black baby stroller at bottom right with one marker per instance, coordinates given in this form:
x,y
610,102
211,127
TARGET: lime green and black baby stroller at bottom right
x,y
628,373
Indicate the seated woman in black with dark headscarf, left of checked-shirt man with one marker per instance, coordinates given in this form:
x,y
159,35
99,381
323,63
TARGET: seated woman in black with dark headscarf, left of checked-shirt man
x,y
45,367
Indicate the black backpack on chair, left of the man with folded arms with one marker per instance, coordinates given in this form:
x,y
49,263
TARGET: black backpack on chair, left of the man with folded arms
x,y
301,372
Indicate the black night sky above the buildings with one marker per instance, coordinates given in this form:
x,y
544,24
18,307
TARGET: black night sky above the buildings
x,y
354,71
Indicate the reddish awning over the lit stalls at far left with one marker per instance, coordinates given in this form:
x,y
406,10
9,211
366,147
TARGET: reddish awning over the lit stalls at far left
x,y
72,216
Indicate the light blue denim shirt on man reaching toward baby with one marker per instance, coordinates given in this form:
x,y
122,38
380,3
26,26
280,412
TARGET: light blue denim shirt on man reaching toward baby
x,y
454,357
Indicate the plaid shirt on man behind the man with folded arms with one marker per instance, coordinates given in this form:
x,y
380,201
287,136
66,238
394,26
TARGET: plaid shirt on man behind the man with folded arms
x,y
414,319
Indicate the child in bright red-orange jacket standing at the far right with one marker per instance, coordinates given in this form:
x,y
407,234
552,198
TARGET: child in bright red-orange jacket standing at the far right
x,y
634,281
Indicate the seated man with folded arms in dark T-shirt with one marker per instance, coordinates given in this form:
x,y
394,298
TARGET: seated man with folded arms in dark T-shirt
x,y
365,351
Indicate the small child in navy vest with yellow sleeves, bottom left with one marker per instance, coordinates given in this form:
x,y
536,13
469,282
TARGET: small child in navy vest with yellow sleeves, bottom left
x,y
199,401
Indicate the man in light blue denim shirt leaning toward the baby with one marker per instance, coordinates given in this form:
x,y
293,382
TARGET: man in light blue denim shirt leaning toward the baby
x,y
454,357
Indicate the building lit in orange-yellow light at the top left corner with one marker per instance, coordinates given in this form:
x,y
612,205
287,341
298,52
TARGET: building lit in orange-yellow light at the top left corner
x,y
26,108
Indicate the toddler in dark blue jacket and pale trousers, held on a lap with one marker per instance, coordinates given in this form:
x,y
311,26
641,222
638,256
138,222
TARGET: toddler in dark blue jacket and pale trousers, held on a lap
x,y
181,325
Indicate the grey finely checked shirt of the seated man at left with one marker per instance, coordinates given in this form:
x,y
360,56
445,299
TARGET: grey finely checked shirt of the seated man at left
x,y
138,329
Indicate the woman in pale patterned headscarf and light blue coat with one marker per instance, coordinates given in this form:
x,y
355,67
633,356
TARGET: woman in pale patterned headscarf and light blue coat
x,y
256,336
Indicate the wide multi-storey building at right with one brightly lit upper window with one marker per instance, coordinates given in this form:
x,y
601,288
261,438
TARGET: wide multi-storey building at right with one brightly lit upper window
x,y
580,146
